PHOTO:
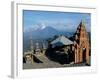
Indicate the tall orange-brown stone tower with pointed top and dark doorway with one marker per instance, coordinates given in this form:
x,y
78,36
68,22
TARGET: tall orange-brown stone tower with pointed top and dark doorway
x,y
81,44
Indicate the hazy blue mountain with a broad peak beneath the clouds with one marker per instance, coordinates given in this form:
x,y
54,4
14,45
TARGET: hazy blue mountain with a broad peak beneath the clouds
x,y
47,32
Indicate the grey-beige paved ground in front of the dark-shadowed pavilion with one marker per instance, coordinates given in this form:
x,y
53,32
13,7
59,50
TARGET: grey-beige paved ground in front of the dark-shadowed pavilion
x,y
48,64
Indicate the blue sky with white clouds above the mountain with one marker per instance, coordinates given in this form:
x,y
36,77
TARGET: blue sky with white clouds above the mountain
x,y
63,21
